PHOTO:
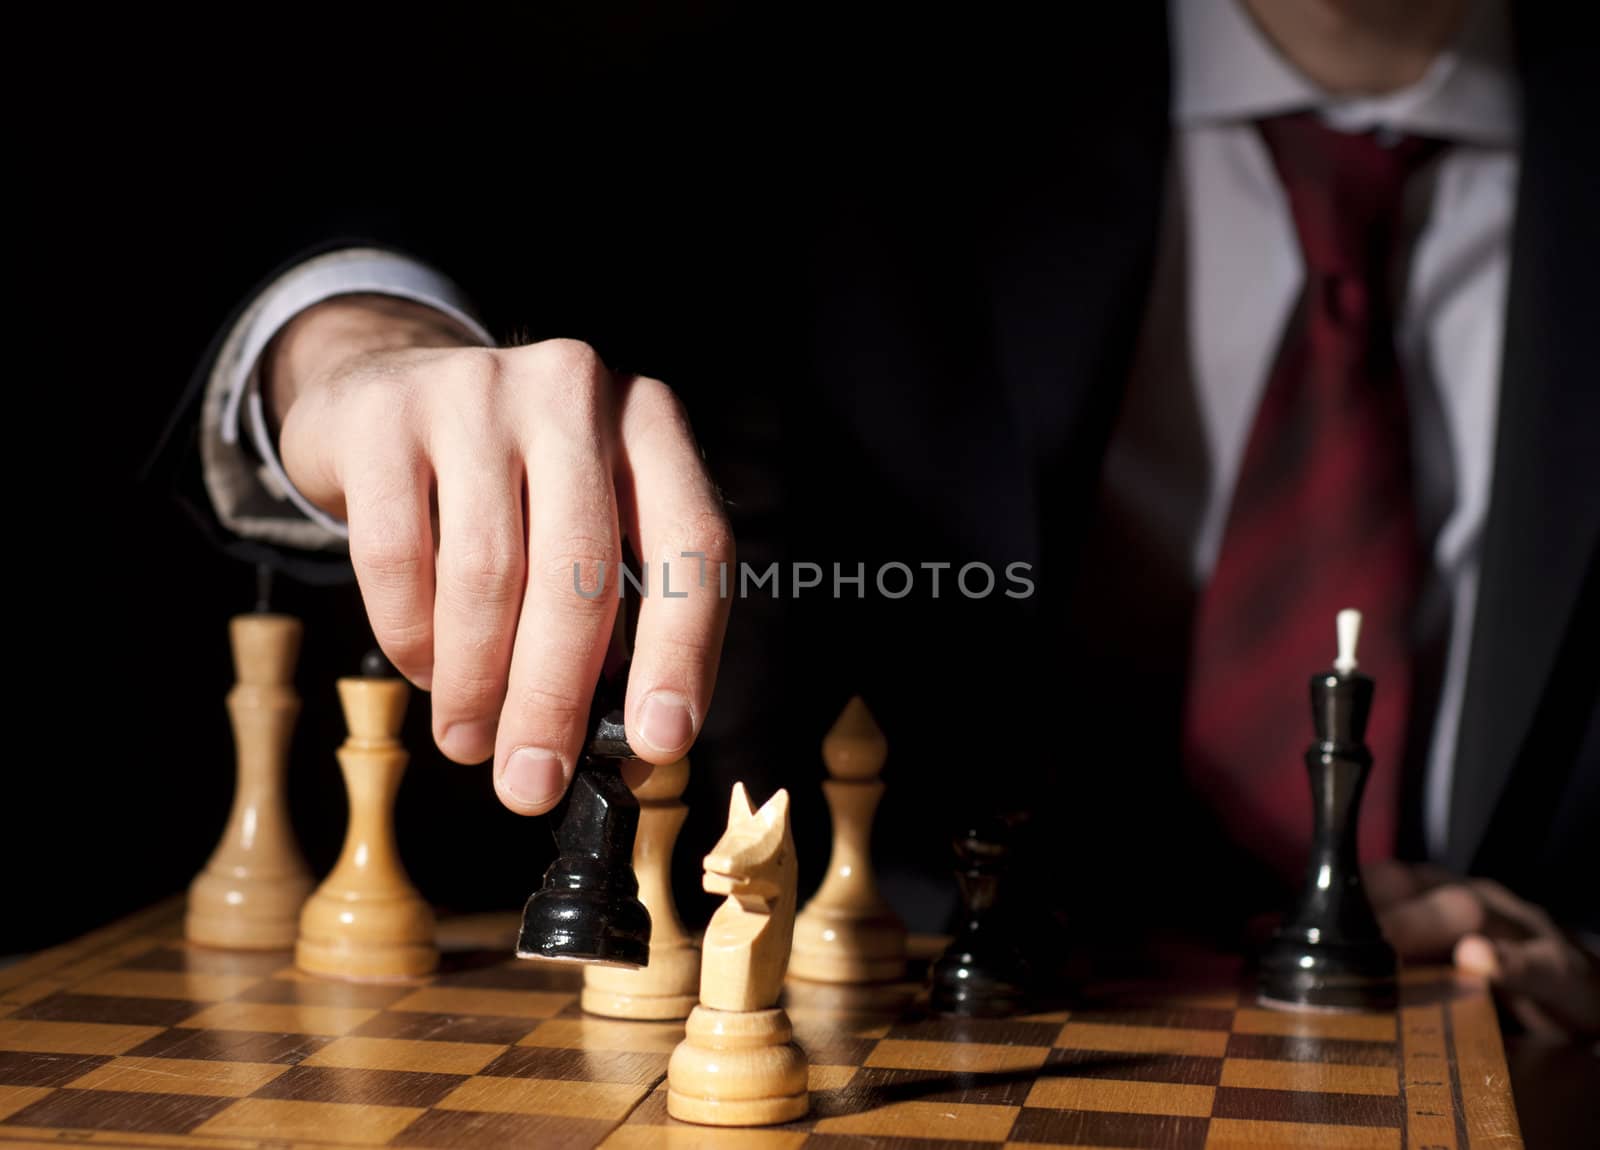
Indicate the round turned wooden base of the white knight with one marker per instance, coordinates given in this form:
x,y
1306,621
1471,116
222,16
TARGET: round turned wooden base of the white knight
x,y
738,1069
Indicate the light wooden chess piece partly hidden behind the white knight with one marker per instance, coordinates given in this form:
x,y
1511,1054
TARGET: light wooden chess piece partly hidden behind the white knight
x,y
670,986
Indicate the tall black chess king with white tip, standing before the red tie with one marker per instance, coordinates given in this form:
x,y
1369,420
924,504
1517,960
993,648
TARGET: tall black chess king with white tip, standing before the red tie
x,y
1330,952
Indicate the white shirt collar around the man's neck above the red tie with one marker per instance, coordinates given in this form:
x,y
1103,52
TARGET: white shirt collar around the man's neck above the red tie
x,y
1226,71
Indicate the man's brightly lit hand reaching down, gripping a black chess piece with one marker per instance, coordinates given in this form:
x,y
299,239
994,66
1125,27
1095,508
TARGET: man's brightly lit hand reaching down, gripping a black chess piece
x,y
474,482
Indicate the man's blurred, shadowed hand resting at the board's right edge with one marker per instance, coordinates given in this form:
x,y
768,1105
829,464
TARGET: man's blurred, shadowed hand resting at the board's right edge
x,y
1550,981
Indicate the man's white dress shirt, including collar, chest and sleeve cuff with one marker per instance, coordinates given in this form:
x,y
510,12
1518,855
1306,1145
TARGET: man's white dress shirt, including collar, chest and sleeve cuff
x,y
1228,281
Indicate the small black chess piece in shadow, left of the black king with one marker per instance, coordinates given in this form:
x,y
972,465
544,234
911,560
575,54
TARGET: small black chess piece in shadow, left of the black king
x,y
983,972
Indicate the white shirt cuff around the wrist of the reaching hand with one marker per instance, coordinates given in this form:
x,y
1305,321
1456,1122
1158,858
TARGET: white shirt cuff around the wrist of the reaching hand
x,y
258,501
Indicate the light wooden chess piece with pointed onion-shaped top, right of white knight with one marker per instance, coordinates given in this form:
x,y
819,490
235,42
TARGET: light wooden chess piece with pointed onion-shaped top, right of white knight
x,y
849,933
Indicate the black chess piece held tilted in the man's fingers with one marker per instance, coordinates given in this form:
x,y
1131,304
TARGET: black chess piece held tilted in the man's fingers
x,y
588,909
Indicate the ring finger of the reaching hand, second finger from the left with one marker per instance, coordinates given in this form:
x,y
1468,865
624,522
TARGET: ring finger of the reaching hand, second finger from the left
x,y
481,569
